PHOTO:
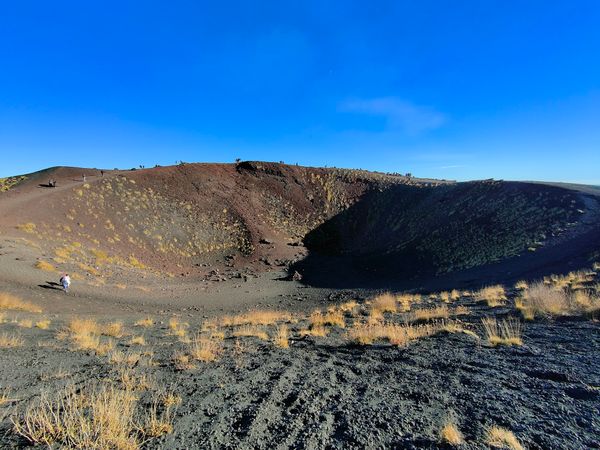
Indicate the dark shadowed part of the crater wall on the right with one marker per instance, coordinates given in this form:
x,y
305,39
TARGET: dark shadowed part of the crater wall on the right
x,y
408,233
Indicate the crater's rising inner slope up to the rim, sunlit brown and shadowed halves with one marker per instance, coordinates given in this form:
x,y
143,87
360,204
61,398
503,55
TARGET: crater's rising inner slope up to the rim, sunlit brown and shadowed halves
x,y
204,220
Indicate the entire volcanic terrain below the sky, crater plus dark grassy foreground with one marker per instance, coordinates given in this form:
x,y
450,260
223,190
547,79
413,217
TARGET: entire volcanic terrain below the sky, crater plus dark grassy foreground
x,y
261,305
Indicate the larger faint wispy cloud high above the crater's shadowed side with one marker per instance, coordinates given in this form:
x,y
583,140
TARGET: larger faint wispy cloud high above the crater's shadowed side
x,y
399,114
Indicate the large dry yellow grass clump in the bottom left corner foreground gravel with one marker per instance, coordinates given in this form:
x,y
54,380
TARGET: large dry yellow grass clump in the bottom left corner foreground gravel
x,y
99,418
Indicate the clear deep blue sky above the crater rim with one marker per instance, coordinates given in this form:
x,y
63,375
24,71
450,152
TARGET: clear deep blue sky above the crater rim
x,y
456,90
